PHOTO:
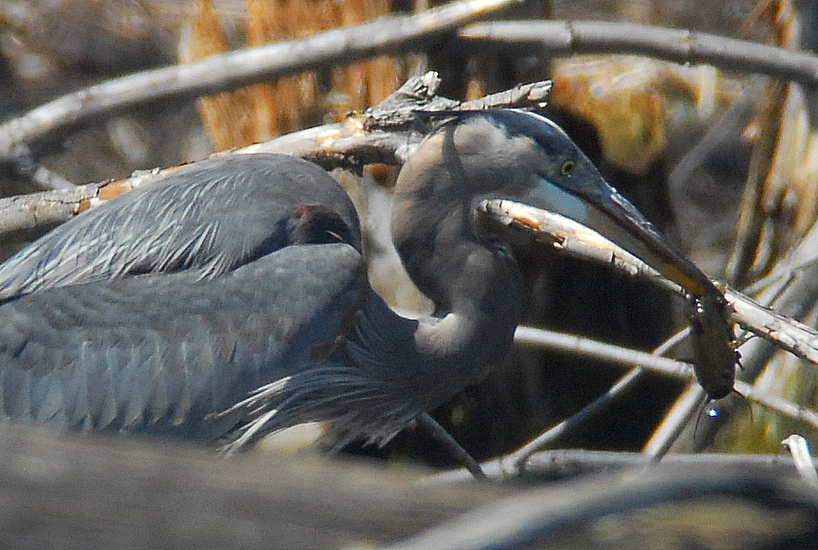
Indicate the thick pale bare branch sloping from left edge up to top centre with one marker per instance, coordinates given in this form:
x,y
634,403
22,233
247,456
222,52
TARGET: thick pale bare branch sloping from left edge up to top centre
x,y
388,35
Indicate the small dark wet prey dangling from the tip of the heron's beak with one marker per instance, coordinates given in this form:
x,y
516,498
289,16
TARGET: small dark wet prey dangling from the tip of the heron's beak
x,y
714,353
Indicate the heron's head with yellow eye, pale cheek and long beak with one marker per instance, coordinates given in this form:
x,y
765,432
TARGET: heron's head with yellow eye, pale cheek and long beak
x,y
525,157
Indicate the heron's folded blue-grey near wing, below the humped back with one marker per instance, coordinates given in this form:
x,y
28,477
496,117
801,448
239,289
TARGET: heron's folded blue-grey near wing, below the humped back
x,y
163,353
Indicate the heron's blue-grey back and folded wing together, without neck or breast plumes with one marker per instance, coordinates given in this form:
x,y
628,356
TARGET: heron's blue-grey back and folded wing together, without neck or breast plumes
x,y
150,314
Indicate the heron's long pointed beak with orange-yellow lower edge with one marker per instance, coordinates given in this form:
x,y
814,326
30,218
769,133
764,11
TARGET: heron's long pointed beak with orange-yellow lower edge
x,y
598,206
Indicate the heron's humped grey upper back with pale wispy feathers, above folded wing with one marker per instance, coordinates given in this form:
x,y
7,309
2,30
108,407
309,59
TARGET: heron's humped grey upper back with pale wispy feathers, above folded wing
x,y
208,218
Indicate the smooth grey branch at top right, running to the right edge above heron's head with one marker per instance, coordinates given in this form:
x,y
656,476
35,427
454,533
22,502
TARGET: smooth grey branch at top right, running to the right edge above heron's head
x,y
679,45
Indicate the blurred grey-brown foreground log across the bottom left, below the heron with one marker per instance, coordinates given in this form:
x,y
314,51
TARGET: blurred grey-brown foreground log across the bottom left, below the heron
x,y
97,491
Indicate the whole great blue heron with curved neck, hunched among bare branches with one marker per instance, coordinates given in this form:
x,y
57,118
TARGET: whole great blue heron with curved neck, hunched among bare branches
x,y
230,297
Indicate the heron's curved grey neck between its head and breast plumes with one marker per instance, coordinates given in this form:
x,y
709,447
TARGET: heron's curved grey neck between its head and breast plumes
x,y
477,291
